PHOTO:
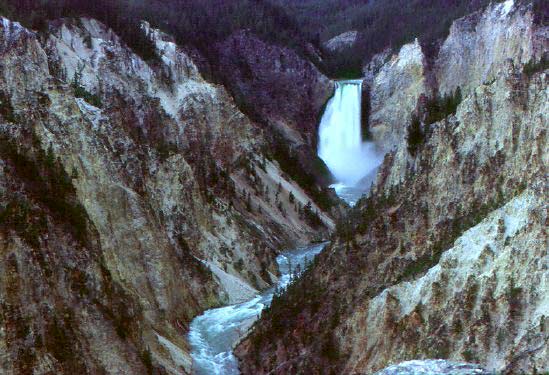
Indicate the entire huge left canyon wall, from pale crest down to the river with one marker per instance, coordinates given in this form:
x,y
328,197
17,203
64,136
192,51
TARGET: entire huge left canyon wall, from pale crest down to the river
x,y
166,177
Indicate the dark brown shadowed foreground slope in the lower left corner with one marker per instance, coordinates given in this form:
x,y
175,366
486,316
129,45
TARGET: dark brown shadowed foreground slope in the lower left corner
x,y
58,298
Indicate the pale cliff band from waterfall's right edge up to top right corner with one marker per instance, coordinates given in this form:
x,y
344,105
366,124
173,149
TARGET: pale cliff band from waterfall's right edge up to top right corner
x,y
477,48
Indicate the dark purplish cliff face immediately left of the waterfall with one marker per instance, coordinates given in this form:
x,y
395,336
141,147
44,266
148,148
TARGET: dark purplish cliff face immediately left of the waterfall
x,y
281,89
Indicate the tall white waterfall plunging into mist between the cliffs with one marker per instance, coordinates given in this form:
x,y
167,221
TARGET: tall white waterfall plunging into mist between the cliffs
x,y
340,144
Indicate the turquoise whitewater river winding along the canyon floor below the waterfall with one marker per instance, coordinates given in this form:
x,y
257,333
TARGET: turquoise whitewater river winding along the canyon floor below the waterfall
x,y
213,334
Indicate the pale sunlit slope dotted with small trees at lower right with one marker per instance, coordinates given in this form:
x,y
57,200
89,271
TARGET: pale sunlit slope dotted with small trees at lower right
x,y
485,301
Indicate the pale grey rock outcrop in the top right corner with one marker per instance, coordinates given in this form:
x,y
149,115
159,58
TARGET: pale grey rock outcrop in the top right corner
x,y
479,46
